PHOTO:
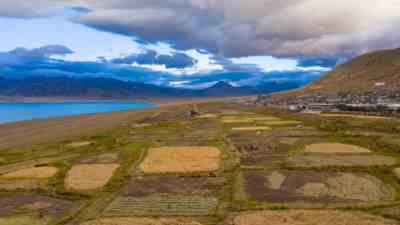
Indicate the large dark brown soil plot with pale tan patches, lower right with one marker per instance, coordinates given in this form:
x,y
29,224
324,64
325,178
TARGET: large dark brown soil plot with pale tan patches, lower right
x,y
314,187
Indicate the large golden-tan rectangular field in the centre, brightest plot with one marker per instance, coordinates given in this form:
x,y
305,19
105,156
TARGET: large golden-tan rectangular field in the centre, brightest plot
x,y
181,159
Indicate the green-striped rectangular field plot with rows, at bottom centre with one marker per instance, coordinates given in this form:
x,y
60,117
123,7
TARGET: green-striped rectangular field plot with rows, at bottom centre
x,y
162,206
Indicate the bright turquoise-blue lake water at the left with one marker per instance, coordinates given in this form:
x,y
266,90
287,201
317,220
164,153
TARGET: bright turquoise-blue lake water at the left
x,y
12,112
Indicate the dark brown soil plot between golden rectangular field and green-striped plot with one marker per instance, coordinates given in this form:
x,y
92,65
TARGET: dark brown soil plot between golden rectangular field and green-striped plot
x,y
173,185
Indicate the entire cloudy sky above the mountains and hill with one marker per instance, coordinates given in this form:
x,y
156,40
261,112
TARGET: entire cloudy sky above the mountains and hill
x,y
191,43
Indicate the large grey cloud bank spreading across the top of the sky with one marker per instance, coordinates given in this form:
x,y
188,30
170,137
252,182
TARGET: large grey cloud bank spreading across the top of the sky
x,y
235,28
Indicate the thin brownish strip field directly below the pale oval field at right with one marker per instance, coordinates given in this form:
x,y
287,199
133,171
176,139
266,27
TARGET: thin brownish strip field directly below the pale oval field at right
x,y
341,160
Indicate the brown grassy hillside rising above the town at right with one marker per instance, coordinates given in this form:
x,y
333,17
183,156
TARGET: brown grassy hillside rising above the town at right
x,y
372,71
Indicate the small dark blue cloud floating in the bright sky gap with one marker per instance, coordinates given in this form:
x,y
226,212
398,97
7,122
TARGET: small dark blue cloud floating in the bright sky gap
x,y
177,60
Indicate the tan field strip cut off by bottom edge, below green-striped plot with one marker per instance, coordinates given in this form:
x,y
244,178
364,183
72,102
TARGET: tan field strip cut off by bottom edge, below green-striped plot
x,y
140,221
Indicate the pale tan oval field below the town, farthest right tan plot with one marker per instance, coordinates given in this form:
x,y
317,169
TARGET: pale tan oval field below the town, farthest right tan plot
x,y
335,148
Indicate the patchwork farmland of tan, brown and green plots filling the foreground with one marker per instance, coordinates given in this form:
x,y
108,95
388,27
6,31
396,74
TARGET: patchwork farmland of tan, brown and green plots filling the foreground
x,y
229,165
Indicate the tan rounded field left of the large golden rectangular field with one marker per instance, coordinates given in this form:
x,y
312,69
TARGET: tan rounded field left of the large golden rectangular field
x,y
89,176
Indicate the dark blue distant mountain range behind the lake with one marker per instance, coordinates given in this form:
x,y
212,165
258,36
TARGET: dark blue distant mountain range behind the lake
x,y
106,88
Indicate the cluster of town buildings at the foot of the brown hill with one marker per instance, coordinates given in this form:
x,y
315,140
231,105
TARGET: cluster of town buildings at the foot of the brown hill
x,y
382,100
